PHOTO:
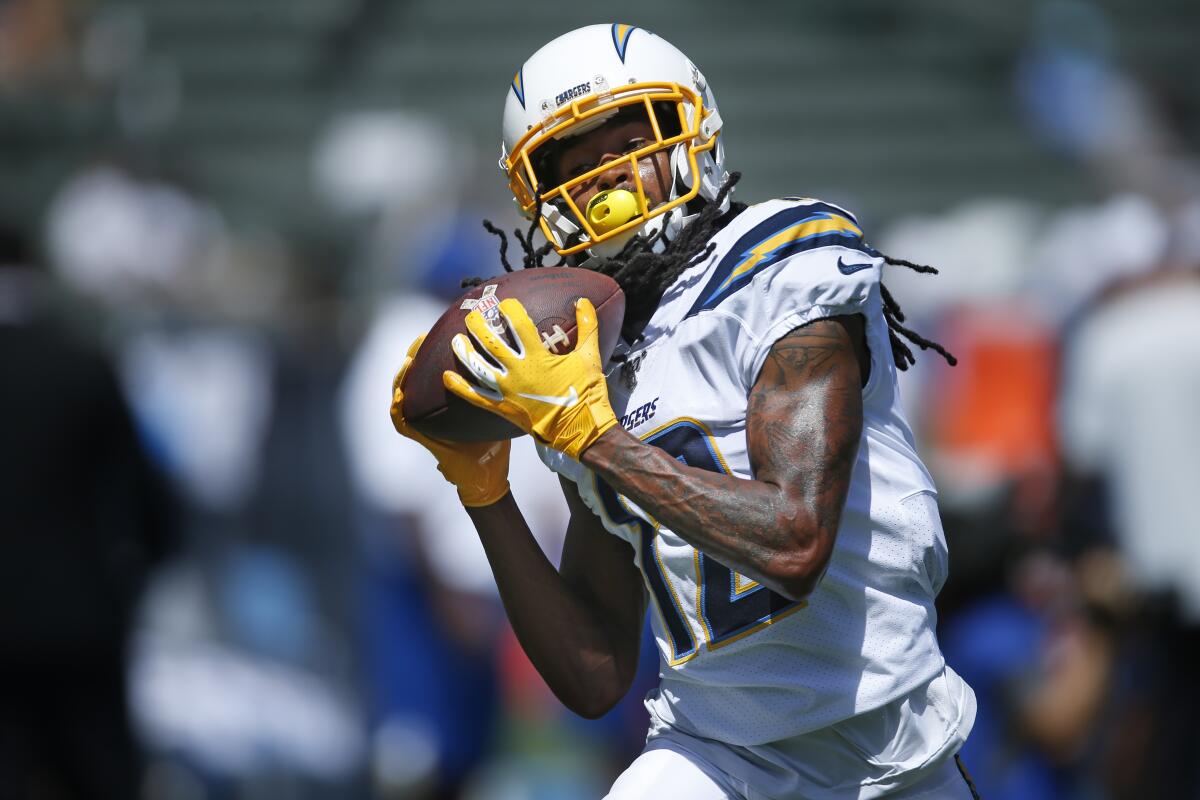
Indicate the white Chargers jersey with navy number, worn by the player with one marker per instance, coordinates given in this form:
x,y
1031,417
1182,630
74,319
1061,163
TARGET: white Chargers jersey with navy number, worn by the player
x,y
740,664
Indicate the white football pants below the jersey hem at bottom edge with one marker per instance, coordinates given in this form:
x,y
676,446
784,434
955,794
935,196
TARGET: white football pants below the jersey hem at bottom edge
x,y
667,773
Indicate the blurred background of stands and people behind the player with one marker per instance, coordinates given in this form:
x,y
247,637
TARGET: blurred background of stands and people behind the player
x,y
224,221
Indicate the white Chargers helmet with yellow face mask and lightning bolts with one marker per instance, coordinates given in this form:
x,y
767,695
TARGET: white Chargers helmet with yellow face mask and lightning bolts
x,y
577,83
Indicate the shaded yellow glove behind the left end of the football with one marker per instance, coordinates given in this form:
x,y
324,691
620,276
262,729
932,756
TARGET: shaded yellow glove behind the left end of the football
x,y
479,470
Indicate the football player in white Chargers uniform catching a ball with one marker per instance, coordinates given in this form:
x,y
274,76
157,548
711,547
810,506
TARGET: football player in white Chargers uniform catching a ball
x,y
742,467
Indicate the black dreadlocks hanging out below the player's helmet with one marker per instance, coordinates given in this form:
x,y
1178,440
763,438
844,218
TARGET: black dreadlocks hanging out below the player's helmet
x,y
645,275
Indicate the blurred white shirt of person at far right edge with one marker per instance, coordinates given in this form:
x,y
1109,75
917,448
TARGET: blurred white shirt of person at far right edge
x,y
1129,416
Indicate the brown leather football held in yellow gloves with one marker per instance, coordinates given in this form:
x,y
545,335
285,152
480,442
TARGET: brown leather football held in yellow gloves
x,y
549,296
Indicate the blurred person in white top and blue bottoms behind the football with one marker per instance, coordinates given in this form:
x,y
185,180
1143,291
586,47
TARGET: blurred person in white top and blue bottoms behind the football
x,y
434,625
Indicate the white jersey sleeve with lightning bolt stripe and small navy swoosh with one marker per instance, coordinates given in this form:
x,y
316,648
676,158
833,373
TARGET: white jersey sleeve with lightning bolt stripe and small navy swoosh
x,y
803,263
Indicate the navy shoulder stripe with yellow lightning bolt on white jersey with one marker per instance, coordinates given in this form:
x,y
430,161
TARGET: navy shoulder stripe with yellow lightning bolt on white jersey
x,y
793,231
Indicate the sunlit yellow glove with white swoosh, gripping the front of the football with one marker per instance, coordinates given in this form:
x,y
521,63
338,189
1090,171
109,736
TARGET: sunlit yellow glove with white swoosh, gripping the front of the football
x,y
560,400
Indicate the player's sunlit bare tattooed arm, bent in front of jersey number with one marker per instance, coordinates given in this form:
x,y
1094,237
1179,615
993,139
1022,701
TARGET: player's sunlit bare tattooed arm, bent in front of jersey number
x,y
805,418
